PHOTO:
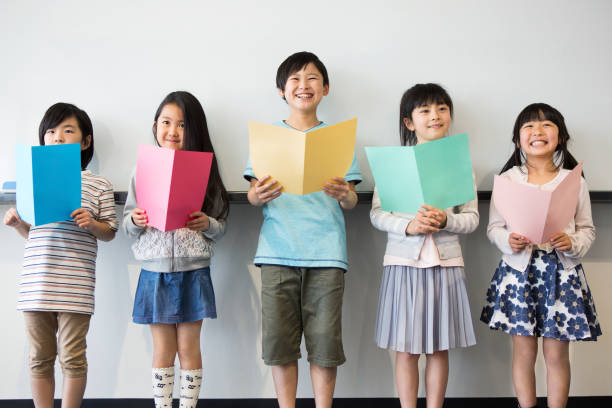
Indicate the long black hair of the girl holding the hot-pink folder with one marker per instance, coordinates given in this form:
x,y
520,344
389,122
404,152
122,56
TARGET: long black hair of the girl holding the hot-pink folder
x,y
197,139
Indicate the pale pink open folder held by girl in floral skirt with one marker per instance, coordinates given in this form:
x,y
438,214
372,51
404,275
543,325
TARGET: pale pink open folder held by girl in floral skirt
x,y
535,213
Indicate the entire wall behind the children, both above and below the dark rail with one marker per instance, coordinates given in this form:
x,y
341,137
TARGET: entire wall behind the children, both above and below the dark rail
x,y
118,59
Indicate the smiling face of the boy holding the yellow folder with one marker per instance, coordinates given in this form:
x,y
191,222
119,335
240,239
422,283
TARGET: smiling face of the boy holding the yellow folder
x,y
304,89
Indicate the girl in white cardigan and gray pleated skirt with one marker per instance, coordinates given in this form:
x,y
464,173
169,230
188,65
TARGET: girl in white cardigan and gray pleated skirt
x,y
423,305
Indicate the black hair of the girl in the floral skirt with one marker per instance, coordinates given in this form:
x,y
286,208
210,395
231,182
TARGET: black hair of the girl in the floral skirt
x,y
541,112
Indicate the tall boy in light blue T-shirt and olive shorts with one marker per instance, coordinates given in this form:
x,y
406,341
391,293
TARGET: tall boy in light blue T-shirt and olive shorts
x,y
302,251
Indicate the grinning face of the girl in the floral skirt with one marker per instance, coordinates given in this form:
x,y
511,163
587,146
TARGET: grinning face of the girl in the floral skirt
x,y
539,139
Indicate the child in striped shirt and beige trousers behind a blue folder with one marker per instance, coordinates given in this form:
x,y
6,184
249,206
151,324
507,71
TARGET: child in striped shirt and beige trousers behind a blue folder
x,y
56,291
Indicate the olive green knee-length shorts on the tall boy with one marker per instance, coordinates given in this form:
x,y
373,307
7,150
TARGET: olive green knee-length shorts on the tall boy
x,y
302,300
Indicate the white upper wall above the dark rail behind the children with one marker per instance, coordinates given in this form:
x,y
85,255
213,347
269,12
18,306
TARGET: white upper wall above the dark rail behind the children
x,y
118,59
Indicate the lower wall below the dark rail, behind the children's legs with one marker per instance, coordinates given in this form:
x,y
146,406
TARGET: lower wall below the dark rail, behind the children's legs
x,y
120,351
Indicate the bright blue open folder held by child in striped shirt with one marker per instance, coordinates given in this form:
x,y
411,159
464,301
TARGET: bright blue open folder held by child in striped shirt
x,y
48,182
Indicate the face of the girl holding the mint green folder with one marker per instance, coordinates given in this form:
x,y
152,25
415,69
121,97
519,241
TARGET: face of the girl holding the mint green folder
x,y
429,122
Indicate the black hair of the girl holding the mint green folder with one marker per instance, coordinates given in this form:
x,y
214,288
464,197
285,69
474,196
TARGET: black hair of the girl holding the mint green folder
x,y
415,97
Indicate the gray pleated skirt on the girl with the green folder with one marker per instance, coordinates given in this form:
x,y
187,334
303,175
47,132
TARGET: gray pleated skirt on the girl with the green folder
x,y
423,310
